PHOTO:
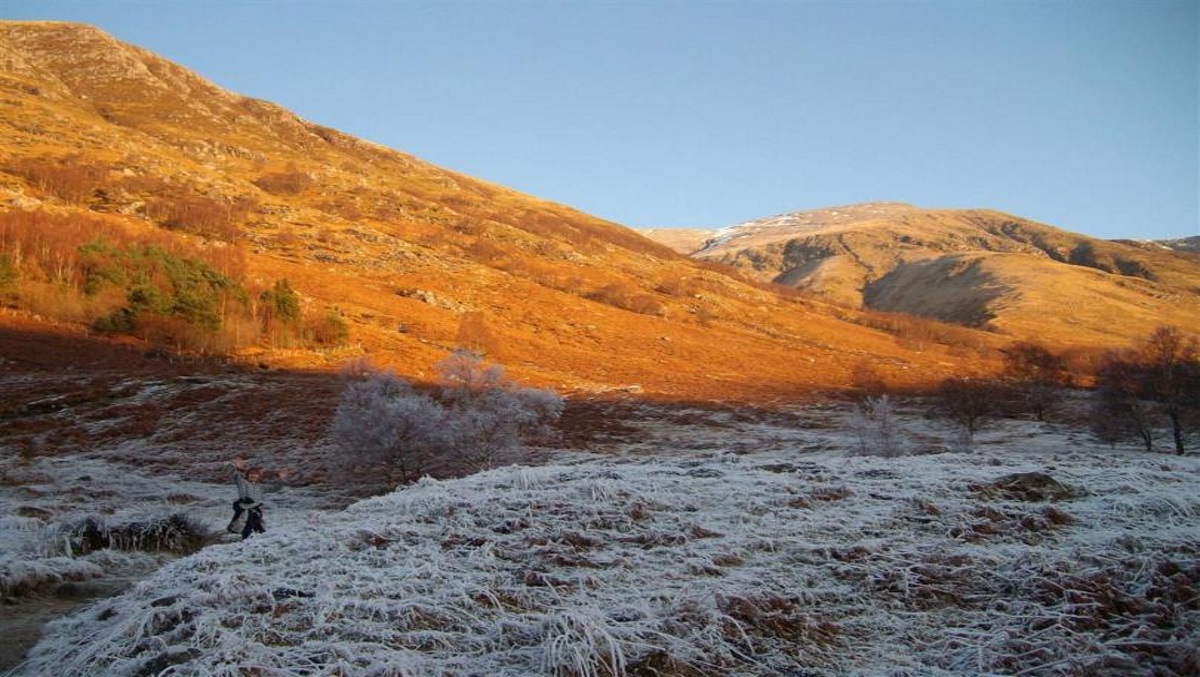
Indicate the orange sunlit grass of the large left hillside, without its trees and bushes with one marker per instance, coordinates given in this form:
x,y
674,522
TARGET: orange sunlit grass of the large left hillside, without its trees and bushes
x,y
375,223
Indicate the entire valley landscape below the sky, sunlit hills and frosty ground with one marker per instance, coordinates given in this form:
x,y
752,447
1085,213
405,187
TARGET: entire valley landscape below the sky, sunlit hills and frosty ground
x,y
758,469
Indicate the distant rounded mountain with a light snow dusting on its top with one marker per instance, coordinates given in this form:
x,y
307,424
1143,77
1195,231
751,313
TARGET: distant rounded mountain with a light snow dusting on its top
x,y
979,268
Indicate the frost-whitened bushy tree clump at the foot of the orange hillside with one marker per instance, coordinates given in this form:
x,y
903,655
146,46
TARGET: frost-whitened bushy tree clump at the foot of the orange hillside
x,y
387,429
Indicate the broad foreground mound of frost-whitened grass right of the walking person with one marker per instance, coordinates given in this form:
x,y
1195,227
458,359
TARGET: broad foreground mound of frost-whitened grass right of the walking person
x,y
1019,559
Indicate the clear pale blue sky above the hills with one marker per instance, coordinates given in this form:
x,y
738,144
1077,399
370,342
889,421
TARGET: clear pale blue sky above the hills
x,y
1084,115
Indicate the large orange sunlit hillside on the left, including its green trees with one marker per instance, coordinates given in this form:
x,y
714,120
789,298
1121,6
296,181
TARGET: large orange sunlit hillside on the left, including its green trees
x,y
231,226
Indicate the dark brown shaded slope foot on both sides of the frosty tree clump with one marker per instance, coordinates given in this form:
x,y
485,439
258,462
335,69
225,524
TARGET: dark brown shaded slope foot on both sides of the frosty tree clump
x,y
64,394
